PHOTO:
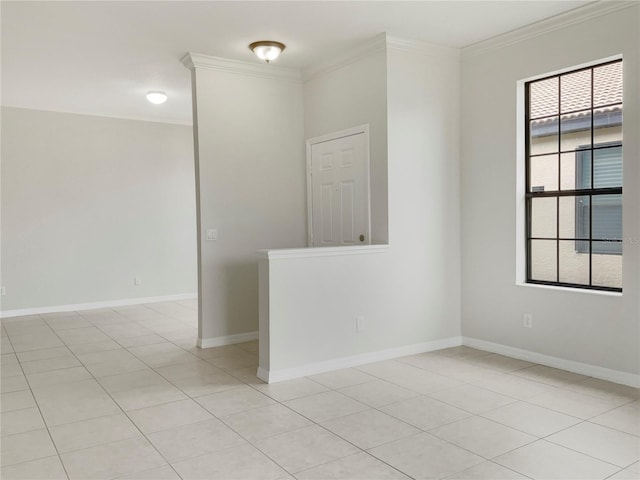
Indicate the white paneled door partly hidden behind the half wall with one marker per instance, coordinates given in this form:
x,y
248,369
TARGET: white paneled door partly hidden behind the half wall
x,y
339,189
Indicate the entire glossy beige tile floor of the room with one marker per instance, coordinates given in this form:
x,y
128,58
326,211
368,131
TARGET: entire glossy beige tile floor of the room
x,y
123,393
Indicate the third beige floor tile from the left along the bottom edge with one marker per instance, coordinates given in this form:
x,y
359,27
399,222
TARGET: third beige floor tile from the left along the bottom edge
x,y
239,463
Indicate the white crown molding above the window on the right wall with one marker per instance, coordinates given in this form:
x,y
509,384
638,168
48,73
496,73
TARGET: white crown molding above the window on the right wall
x,y
548,25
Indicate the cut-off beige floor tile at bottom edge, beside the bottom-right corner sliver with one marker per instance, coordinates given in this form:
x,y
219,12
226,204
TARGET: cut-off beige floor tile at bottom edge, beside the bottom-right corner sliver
x,y
549,461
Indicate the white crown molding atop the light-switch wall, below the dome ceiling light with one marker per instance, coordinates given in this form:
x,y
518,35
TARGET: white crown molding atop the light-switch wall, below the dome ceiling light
x,y
194,61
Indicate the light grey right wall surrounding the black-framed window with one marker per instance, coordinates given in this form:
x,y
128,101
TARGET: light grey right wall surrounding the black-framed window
x,y
591,328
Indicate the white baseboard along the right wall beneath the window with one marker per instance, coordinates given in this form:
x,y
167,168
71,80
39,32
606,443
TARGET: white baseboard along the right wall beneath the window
x,y
602,373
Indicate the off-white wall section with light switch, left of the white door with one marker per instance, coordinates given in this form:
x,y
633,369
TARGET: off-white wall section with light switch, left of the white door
x,y
251,182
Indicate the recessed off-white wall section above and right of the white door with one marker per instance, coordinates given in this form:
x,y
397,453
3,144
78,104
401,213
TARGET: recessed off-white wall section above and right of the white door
x,y
341,98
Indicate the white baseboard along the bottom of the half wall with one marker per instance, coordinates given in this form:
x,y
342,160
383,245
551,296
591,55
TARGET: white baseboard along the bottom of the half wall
x,y
272,376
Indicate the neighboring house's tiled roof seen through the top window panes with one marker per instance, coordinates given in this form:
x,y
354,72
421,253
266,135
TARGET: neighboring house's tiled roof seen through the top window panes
x,y
575,92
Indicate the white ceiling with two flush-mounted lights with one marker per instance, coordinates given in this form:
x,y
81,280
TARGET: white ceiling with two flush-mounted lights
x,y
101,58
